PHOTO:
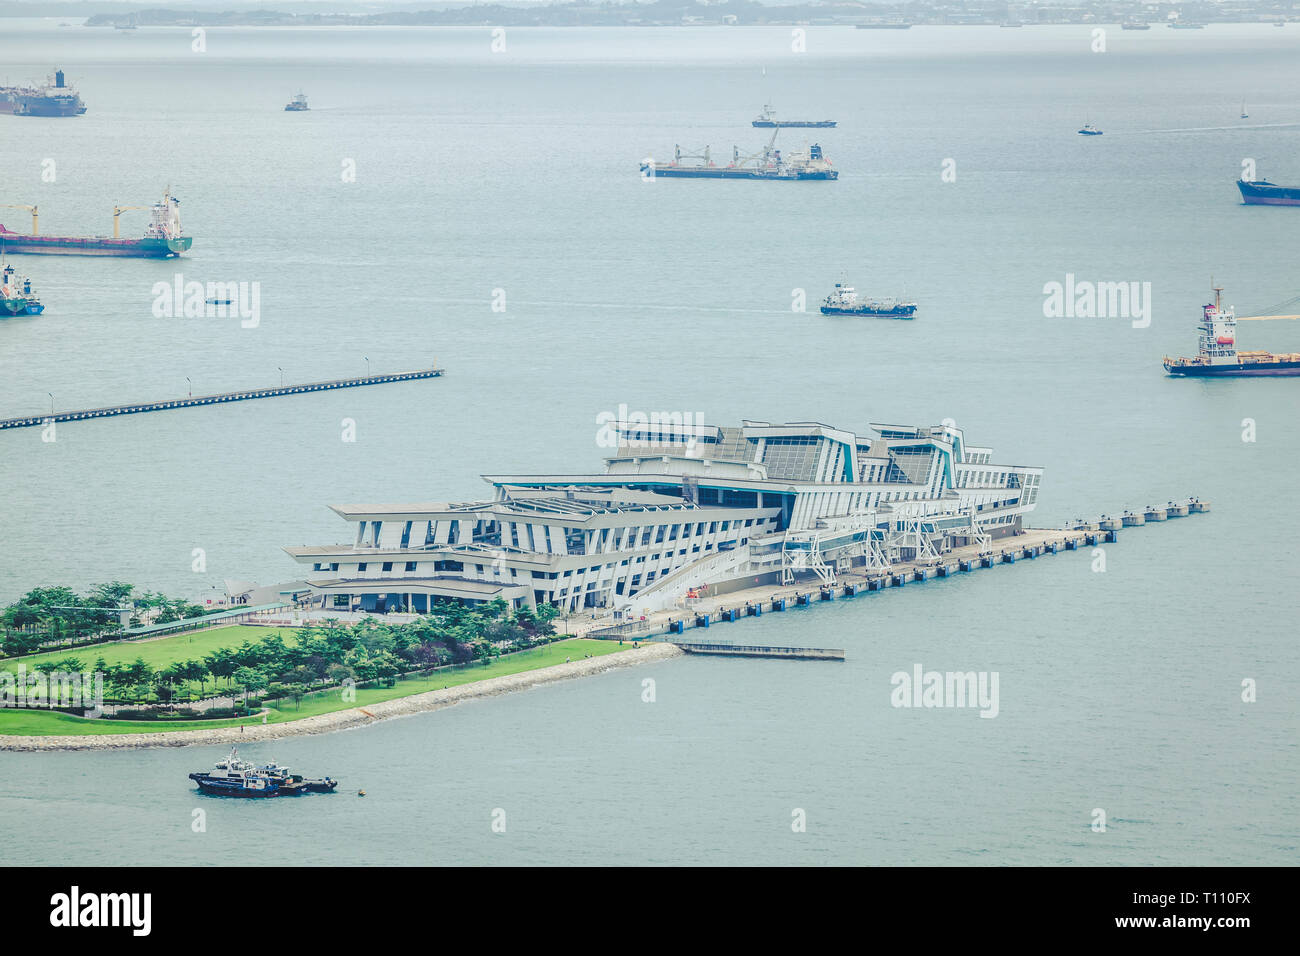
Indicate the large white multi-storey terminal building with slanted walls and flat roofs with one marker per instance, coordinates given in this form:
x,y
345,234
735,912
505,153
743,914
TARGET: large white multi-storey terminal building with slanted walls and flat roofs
x,y
677,509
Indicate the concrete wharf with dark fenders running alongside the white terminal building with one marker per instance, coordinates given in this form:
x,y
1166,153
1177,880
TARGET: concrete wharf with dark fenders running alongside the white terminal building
x,y
757,602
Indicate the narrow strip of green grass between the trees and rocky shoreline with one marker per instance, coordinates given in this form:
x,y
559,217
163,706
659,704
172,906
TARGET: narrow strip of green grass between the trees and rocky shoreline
x,y
45,724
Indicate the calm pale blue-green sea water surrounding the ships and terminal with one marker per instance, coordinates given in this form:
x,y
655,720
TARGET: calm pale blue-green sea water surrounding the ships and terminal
x,y
518,171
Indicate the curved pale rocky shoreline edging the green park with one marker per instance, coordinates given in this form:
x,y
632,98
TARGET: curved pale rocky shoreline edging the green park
x,y
354,717
